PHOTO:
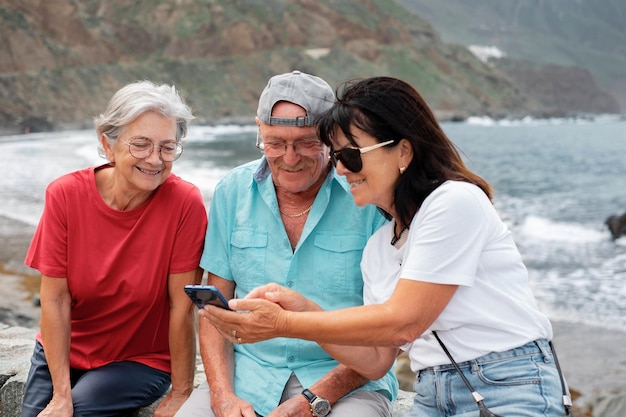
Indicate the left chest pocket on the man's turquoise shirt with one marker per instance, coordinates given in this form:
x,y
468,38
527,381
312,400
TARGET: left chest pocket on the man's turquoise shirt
x,y
248,249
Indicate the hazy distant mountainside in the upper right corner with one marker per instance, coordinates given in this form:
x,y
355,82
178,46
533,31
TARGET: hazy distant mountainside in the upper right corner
x,y
586,34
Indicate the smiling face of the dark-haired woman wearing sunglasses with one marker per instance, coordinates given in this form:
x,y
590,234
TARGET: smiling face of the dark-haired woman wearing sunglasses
x,y
375,183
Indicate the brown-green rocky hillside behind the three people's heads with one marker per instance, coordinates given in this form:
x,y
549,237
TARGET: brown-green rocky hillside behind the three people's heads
x,y
61,60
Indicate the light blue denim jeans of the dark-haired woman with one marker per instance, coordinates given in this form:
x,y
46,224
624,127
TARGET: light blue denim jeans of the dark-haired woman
x,y
521,382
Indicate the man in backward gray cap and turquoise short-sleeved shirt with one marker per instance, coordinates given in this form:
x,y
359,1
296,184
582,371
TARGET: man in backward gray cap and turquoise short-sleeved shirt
x,y
286,218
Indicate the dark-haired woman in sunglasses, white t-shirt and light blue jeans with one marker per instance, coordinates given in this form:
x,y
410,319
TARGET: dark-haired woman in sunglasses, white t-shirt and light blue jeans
x,y
444,273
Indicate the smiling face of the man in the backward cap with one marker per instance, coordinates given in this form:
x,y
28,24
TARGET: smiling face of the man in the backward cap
x,y
293,172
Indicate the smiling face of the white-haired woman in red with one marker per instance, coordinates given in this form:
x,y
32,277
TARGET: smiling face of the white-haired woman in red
x,y
141,176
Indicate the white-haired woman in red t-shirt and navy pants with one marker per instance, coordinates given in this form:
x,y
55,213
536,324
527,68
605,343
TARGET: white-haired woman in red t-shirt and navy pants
x,y
115,246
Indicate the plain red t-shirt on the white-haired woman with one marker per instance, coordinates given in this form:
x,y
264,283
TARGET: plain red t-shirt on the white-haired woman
x,y
116,264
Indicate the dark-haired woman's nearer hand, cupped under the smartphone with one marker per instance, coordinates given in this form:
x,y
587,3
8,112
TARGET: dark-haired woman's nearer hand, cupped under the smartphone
x,y
255,320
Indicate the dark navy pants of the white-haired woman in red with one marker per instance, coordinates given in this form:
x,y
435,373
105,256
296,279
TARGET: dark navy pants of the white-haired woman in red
x,y
116,389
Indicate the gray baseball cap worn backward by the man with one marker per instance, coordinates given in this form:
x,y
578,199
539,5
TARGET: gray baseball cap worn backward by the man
x,y
308,91
